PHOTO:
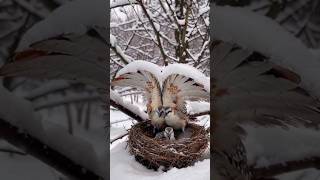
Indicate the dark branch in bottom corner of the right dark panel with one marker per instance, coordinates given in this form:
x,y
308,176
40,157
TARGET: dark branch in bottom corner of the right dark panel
x,y
276,169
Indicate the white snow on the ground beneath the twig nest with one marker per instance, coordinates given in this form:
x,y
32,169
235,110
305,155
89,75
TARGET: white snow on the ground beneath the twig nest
x,y
124,166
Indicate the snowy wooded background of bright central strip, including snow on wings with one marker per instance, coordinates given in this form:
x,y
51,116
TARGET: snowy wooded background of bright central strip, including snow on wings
x,y
156,32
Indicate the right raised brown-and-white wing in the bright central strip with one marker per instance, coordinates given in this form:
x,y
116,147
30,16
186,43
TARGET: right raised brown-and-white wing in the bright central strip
x,y
178,88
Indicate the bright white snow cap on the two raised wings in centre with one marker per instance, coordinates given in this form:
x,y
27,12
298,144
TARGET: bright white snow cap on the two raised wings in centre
x,y
162,72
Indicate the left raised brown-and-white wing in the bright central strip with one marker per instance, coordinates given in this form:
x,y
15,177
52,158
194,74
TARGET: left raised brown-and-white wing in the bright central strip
x,y
142,80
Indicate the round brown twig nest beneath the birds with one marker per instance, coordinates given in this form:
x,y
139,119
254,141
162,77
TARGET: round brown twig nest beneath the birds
x,y
179,153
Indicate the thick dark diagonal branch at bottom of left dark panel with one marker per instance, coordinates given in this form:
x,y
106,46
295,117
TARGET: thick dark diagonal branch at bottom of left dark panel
x,y
44,153
